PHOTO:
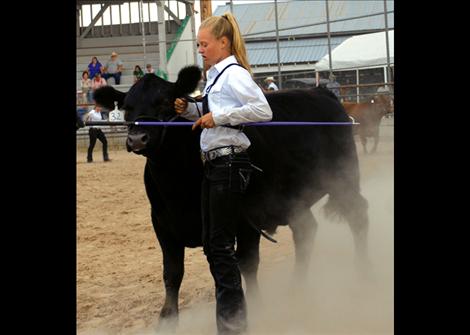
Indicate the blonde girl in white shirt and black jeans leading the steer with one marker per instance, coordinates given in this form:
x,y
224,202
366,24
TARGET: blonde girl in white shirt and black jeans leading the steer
x,y
231,97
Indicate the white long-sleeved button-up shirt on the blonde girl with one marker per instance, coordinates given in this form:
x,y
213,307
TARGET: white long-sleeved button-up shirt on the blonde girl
x,y
234,99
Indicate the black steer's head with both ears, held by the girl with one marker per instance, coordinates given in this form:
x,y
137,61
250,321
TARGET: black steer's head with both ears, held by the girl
x,y
150,99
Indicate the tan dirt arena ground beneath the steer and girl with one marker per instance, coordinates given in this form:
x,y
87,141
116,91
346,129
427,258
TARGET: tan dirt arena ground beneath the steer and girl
x,y
119,262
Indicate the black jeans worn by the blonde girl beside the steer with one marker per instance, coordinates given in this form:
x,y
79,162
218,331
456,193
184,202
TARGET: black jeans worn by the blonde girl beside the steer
x,y
225,180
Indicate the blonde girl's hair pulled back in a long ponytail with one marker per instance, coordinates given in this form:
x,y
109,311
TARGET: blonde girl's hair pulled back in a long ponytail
x,y
227,26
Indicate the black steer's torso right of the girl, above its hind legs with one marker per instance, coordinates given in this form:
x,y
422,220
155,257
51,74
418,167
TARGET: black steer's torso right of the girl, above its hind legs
x,y
301,163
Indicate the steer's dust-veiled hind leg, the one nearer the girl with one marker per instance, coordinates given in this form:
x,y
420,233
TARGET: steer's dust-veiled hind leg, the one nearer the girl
x,y
304,227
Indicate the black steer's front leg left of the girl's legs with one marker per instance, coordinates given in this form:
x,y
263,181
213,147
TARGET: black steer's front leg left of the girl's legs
x,y
173,271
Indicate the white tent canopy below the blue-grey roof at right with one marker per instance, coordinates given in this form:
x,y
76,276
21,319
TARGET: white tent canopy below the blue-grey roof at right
x,y
368,50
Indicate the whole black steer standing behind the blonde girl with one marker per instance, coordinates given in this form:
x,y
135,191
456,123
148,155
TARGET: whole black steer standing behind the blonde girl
x,y
300,164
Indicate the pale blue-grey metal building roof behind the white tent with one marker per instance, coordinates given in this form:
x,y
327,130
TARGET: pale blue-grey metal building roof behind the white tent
x,y
305,44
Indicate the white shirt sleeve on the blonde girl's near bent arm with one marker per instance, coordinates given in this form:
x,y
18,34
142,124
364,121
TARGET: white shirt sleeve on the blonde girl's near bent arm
x,y
254,106
